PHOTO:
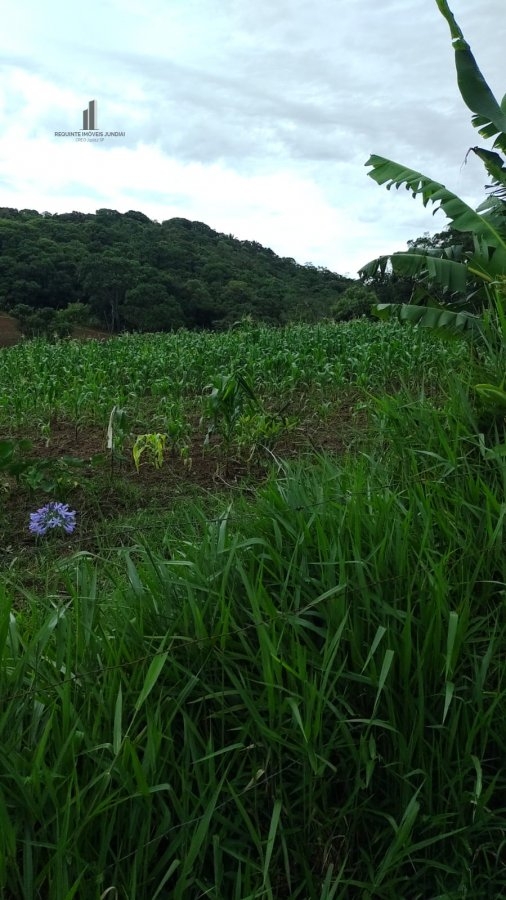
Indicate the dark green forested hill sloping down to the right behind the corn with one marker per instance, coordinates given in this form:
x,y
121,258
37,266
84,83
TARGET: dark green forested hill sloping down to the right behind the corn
x,y
133,273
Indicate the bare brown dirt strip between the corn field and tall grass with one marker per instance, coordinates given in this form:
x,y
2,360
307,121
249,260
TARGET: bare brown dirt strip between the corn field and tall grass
x,y
111,490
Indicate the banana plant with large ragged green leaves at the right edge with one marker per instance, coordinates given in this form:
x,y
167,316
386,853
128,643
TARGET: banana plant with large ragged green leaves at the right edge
x,y
471,279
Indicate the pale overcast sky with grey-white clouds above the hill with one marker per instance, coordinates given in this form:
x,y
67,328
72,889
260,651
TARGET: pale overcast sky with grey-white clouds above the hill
x,y
253,116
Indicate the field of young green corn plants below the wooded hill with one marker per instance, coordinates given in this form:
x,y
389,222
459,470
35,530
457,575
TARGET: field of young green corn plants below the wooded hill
x,y
167,373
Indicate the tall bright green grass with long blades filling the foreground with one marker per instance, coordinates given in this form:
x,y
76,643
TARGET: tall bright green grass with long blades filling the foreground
x,y
307,699
